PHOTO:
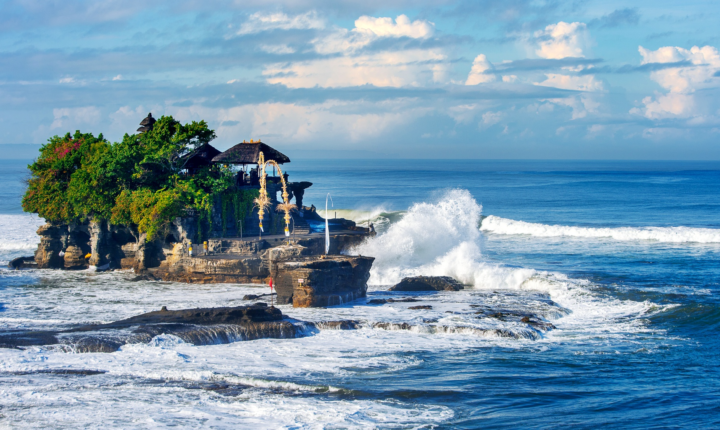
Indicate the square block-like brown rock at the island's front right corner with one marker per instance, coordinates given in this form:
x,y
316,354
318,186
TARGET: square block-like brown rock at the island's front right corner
x,y
322,281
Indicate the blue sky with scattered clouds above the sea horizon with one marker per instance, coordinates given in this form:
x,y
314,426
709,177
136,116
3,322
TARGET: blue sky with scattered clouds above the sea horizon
x,y
513,79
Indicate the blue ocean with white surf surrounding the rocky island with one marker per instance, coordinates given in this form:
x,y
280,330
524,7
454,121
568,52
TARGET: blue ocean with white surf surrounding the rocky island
x,y
621,257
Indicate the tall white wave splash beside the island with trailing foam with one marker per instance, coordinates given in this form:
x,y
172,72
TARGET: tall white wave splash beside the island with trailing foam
x,y
443,239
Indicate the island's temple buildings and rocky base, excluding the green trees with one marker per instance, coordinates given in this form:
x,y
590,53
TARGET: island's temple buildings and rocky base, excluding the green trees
x,y
258,230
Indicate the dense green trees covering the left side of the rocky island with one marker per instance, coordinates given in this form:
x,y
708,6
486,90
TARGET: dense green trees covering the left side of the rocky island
x,y
138,181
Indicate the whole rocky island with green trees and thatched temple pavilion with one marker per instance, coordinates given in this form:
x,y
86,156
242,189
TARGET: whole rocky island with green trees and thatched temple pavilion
x,y
169,205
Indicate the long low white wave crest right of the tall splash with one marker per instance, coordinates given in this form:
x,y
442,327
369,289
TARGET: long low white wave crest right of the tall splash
x,y
497,225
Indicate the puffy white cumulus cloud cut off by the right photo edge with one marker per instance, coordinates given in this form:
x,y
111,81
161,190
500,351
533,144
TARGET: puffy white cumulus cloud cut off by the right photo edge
x,y
699,66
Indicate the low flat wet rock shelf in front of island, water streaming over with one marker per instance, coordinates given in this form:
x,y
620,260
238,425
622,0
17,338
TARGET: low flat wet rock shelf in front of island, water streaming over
x,y
508,313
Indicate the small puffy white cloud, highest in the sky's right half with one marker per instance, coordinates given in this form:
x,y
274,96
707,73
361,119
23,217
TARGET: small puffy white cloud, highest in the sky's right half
x,y
562,40
